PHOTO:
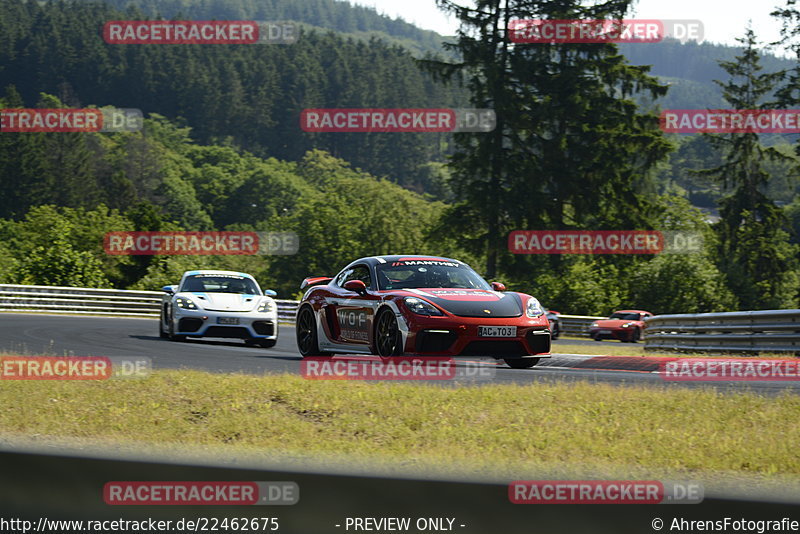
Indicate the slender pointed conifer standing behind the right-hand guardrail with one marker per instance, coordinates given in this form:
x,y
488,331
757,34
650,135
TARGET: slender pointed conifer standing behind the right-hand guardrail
x,y
755,253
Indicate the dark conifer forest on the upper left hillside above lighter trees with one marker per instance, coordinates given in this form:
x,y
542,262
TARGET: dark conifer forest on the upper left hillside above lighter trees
x,y
247,96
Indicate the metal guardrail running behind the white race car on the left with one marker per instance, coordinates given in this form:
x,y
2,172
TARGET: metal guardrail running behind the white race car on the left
x,y
82,300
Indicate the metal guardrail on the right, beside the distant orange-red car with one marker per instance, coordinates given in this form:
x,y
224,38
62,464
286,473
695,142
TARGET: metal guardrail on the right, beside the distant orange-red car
x,y
743,331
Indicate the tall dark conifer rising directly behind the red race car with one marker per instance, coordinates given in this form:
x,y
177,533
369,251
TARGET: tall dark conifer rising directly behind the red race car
x,y
570,149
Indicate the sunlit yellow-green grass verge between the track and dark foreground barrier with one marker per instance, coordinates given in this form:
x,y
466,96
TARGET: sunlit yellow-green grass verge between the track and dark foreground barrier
x,y
503,430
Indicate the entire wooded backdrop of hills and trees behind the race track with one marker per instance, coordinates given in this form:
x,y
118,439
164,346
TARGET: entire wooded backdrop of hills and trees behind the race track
x,y
222,150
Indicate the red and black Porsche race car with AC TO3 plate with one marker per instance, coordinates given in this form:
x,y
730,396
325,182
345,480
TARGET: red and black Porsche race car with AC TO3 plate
x,y
419,305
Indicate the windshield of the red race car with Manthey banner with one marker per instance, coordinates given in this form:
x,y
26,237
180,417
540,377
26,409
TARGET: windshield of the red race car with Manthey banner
x,y
413,275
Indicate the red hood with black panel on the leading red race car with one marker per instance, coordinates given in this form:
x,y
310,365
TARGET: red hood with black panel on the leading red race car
x,y
472,302
